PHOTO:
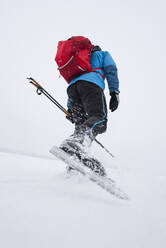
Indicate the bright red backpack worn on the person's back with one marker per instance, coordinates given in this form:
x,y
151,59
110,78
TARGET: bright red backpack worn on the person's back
x,y
73,57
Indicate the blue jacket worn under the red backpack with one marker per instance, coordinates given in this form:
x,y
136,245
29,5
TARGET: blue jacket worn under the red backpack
x,y
101,59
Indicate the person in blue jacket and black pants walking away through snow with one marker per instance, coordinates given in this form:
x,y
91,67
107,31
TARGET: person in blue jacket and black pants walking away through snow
x,y
86,101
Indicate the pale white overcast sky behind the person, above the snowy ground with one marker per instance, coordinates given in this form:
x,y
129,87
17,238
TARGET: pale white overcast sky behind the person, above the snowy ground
x,y
134,33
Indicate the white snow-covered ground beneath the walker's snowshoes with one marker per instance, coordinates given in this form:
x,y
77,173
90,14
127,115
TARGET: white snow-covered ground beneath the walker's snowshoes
x,y
40,207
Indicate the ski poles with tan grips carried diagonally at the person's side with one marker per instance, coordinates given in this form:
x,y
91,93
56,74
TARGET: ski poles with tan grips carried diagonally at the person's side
x,y
41,90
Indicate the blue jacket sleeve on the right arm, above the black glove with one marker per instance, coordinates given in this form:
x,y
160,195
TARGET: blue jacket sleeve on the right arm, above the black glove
x,y
110,71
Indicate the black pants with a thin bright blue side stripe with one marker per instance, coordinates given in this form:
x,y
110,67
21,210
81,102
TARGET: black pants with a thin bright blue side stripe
x,y
88,106
